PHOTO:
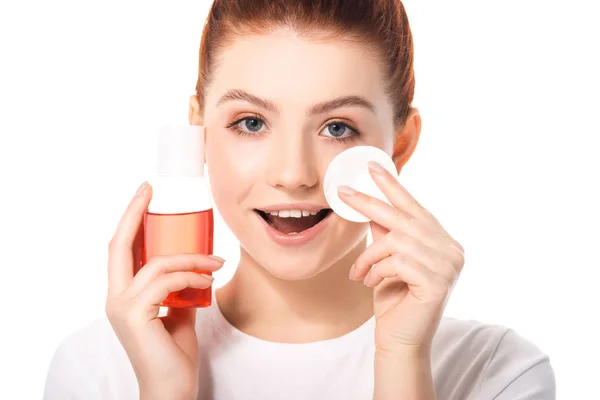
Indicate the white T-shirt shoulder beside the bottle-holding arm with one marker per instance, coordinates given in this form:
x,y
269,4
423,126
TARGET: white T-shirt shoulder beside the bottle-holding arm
x,y
90,363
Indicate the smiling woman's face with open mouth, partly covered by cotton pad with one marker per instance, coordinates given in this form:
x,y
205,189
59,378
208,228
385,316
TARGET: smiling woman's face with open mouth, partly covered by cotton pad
x,y
278,109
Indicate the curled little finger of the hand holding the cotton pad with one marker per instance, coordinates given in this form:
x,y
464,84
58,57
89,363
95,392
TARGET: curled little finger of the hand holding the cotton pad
x,y
423,283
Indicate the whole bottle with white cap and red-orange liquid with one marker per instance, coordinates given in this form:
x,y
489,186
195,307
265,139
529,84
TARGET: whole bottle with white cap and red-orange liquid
x,y
179,218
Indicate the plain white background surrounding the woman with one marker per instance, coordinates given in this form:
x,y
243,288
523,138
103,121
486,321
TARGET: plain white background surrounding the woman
x,y
508,161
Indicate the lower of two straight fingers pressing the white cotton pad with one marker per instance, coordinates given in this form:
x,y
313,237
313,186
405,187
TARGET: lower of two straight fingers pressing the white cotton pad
x,y
376,210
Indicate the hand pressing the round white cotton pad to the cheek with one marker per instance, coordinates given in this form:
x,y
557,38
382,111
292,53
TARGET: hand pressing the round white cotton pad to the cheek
x,y
413,264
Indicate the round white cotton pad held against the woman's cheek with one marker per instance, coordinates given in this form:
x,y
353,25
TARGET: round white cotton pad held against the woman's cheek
x,y
351,168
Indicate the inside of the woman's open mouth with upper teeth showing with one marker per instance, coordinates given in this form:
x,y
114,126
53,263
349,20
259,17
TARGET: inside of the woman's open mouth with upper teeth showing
x,y
293,222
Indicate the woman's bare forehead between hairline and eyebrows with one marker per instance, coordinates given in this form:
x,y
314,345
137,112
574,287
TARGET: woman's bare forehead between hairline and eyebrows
x,y
285,67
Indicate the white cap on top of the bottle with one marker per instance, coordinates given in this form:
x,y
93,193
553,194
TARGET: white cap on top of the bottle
x,y
180,151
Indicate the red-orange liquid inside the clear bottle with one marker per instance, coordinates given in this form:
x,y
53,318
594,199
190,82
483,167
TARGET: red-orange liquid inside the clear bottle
x,y
168,234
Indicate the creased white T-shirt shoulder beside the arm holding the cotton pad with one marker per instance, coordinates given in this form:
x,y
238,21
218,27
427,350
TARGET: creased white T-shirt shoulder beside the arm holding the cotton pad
x,y
489,361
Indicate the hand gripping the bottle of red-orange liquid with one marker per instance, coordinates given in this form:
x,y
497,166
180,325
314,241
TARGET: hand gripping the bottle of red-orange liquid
x,y
163,350
